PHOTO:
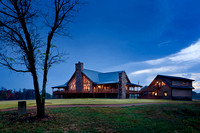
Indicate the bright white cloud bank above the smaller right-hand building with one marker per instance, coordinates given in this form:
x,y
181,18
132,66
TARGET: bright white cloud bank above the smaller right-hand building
x,y
184,63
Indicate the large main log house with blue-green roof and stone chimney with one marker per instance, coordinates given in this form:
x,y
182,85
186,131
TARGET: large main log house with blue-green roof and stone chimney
x,y
88,83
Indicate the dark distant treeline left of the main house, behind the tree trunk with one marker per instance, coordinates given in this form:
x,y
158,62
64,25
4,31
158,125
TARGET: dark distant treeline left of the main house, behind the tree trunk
x,y
21,94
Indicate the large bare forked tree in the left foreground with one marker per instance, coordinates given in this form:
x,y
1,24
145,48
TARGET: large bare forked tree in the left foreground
x,y
22,49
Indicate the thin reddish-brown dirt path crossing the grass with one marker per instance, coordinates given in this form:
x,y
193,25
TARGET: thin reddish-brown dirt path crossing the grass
x,y
86,105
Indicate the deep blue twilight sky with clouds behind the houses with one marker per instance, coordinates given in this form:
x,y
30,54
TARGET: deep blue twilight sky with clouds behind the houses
x,y
142,37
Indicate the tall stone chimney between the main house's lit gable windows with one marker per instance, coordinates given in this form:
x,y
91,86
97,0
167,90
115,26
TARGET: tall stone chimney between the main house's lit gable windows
x,y
78,75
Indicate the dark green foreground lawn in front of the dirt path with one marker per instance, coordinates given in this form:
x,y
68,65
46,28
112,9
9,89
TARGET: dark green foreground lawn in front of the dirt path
x,y
144,118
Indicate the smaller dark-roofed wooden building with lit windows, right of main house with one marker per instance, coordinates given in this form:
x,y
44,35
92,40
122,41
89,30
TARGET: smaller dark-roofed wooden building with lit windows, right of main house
x,y
169,87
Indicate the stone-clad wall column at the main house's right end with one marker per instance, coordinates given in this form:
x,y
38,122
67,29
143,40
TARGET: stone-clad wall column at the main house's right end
x,y
122,85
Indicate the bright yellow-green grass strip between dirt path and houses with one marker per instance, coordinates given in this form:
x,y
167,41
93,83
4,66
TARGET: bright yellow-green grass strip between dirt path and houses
x,y
14,104
